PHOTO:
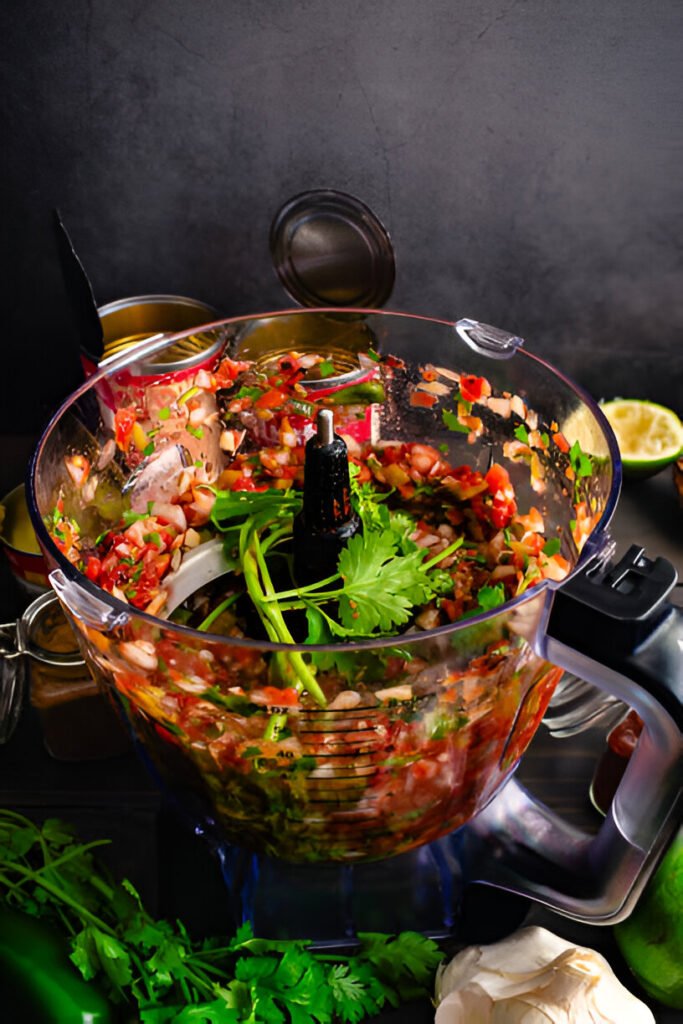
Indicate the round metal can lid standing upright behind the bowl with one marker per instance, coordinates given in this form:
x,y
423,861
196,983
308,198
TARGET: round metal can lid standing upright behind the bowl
x,y
329,249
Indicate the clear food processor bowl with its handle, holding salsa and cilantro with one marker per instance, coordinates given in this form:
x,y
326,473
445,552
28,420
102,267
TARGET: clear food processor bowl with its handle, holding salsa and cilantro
x,y
486,493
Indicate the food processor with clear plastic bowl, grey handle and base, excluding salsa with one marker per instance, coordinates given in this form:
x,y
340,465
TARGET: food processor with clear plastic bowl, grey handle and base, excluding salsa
x,y
401,783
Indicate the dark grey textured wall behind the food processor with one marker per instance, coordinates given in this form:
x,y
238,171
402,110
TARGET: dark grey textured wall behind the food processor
x,y
526,157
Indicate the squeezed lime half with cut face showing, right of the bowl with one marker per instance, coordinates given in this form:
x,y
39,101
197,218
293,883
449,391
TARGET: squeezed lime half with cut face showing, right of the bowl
x,y
650,437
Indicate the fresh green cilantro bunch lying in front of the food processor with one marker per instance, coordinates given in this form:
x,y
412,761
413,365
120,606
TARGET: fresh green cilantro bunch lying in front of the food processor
x,y
156,968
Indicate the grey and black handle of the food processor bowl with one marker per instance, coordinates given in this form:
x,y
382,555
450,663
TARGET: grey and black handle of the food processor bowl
x,y
614,627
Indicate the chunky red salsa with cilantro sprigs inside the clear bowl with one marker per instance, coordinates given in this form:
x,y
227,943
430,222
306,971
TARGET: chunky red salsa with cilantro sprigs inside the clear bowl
x,y
338,753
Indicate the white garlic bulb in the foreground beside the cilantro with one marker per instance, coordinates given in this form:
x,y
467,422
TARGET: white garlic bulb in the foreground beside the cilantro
x,y
534,977
